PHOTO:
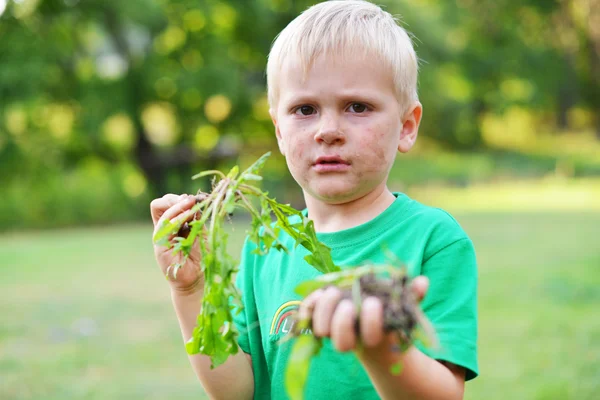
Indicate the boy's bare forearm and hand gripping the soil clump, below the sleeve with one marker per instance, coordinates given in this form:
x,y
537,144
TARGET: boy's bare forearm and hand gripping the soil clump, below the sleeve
x,y
421,377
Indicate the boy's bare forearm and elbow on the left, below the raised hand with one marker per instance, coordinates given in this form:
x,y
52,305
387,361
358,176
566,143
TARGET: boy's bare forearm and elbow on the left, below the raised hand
x,y
232,380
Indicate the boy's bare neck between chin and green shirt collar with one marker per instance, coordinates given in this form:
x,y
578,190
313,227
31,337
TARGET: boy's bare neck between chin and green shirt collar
x,y
337,217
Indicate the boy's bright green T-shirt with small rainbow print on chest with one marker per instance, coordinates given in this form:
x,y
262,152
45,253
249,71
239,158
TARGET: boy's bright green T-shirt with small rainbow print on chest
x,y
427,239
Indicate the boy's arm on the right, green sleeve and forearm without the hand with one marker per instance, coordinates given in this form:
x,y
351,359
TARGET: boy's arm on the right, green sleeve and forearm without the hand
x,y
451,306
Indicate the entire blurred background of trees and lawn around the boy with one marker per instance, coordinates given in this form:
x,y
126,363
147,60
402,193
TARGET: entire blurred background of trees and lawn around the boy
x,y
107,104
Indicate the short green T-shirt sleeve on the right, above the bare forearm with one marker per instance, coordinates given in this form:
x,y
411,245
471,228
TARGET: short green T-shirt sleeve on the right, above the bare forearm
x,y
451,304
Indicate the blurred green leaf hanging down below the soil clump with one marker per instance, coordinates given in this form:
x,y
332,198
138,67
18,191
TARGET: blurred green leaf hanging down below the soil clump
x,y
296,373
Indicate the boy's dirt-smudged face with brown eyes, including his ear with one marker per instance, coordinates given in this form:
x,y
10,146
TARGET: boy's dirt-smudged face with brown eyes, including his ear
x,y
340,128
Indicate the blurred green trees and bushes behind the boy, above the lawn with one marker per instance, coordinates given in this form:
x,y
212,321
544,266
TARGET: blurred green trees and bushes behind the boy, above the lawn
x,y
107,104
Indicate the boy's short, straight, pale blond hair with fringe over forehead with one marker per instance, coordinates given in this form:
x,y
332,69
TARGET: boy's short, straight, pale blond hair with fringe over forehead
x,y
347,28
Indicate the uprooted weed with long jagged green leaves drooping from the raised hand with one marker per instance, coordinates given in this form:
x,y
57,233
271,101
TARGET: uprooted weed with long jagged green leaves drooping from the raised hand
x,y
215,334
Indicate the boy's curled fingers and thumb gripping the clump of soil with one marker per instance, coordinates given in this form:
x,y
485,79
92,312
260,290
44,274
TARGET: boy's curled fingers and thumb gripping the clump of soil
x,y
336,318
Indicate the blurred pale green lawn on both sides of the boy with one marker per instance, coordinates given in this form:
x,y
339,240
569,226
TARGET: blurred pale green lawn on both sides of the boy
x,y
86,313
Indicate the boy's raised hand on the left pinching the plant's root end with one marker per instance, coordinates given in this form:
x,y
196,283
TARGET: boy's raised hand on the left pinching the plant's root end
x,y
189,277
